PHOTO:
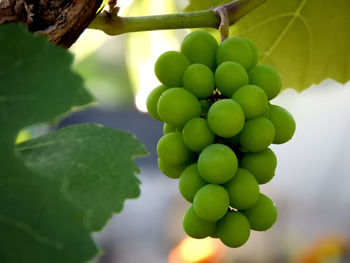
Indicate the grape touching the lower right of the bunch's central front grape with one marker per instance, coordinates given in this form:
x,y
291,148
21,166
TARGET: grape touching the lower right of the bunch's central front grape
x,y
243,189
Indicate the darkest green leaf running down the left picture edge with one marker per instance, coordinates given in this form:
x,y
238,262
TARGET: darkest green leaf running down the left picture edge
x,y
37,222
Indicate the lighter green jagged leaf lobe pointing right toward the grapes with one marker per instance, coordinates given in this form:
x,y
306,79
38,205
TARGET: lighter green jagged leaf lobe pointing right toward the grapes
x,y
93,163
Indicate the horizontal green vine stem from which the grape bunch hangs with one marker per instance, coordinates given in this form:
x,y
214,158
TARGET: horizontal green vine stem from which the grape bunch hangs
x,y
112,24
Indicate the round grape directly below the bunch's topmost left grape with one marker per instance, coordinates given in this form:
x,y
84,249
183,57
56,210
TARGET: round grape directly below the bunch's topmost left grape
x,y
199,79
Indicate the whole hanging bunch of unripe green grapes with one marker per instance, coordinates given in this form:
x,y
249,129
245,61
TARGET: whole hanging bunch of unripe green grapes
x,y
218,124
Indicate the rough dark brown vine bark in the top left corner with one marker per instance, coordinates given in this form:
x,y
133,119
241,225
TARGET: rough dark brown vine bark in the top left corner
x,y
62,21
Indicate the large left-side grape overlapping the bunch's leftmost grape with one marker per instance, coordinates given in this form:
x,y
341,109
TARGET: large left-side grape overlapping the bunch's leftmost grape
x,y
176,106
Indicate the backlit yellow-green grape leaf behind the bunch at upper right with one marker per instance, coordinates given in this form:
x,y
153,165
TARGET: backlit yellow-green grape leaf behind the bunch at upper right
x,y
307,41
